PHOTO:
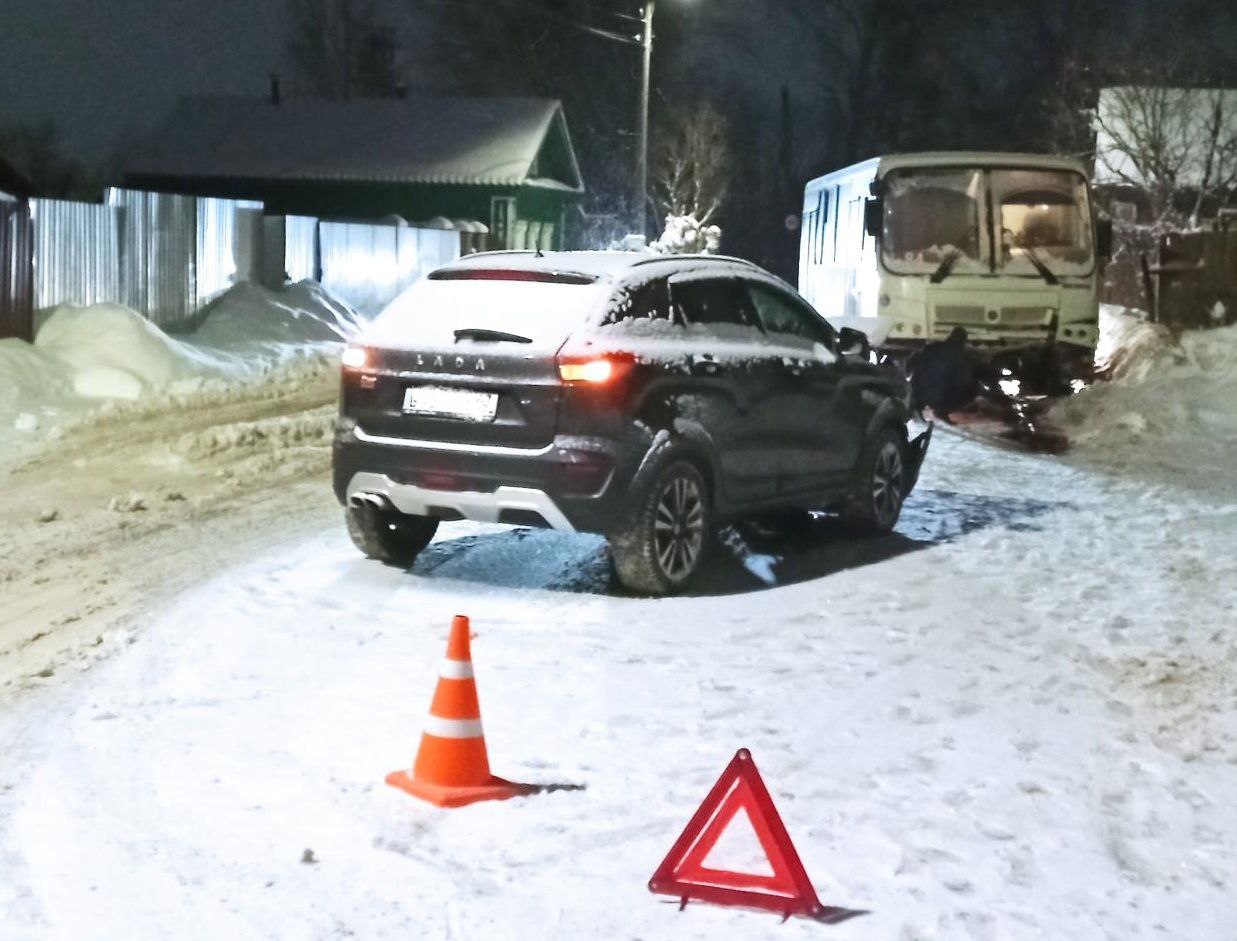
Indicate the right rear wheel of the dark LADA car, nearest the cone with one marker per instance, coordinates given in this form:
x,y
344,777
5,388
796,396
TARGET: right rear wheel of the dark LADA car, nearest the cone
x,y
667,531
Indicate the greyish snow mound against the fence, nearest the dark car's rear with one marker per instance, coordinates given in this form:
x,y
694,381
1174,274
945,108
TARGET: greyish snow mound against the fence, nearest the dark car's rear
x,y
250,317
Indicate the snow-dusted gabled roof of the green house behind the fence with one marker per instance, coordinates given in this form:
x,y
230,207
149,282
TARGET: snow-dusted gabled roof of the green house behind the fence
x,y
488,142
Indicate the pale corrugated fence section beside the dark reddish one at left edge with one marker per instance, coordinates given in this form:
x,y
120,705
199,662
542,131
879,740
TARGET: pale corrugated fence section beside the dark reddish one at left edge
x,y
77,253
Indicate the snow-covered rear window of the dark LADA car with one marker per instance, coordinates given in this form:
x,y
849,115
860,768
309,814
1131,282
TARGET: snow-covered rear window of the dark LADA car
x,y
431,311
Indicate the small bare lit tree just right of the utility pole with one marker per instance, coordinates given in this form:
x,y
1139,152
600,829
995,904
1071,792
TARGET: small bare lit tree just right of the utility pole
x,y
691,165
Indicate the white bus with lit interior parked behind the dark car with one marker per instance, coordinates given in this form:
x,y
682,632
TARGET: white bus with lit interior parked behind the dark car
x,y
909,248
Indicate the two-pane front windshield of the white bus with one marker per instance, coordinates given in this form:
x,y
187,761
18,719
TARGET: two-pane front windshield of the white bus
x,y
1041,221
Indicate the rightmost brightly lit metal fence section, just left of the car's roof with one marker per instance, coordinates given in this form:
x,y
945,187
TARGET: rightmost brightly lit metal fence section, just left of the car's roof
x,y
369,265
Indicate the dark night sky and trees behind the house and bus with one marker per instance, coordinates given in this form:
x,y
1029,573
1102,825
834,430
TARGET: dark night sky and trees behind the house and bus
x,y
806,86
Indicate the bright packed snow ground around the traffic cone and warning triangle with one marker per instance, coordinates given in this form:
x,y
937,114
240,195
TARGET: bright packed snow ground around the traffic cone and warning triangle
x,y
1014,720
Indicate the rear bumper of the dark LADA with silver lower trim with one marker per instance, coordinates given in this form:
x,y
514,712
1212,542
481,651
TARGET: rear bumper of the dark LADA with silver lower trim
x,y
573,484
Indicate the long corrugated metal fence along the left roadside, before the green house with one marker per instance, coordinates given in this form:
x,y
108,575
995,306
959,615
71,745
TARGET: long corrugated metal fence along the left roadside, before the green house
x,y
168,257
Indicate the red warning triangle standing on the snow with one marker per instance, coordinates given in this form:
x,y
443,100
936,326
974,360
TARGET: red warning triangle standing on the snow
x,y
685,875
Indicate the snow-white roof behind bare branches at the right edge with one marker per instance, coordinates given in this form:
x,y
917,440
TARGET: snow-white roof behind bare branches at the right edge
x,y
1176,119
